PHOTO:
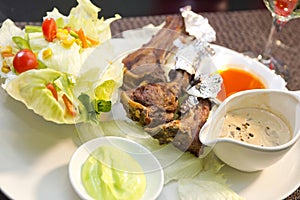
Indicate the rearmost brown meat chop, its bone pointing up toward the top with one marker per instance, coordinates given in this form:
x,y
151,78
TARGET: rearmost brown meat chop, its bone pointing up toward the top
x,y
144,65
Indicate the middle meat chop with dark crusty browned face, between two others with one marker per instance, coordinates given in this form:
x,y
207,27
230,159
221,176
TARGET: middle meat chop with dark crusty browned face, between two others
x,y
155,103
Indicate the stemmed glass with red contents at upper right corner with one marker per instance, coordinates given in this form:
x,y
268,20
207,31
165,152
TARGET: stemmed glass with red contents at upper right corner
x,y
282,11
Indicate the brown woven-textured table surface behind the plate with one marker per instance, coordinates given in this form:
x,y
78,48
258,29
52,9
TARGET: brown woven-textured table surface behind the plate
x,y
240,31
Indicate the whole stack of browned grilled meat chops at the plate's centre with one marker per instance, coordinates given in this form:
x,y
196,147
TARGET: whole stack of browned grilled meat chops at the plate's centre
x,y
161,107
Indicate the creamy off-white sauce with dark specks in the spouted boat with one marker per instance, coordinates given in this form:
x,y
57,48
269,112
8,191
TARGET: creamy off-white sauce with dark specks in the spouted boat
x,y
255,126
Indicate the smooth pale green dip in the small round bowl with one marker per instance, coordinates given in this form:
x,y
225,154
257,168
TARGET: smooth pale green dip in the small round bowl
x,y
110,173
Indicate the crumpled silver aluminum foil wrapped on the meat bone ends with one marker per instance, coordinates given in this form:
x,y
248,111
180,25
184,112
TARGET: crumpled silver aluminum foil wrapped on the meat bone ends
x,y
191,54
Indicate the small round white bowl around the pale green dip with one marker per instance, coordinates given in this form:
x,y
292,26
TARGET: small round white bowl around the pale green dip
x,y
151,166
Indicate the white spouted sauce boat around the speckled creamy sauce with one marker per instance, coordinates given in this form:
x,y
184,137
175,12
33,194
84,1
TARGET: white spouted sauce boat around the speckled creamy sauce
x,y
248,157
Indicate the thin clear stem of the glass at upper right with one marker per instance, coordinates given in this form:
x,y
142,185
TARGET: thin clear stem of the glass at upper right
x,y
275,29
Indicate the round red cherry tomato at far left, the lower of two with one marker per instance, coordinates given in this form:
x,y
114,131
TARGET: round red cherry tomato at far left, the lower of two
x,y
25,60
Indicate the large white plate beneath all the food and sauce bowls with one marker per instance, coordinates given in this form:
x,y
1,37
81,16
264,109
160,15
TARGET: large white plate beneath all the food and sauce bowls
x,y
35,154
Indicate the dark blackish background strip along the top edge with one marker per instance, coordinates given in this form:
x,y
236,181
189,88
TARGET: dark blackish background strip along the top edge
x,y
34,10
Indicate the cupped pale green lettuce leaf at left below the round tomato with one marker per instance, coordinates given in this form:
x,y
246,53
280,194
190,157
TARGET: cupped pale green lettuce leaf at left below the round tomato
x,y
30,88
